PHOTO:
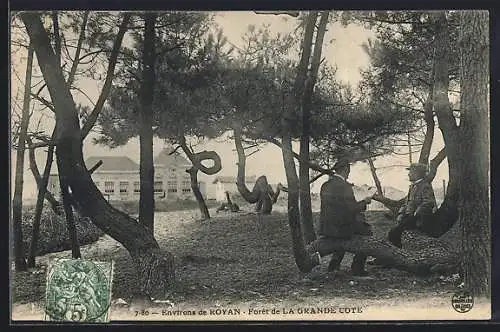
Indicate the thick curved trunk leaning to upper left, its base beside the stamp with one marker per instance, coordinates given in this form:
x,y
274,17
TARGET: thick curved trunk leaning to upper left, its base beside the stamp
x,y
155,267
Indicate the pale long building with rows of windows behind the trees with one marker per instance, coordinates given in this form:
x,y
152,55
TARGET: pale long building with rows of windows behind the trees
x,y
118,178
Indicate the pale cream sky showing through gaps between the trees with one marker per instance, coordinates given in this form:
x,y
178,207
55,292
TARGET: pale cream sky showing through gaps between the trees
x,y
342,47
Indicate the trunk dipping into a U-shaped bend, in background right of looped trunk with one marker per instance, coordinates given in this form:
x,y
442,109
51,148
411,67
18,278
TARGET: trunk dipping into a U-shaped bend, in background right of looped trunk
x,y
262,194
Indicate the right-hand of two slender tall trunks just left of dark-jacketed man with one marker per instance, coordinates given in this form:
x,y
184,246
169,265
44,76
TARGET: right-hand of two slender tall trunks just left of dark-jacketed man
x,y
305,187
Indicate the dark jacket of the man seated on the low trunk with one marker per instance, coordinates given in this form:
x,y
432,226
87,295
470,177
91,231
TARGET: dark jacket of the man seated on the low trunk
x,y
339,209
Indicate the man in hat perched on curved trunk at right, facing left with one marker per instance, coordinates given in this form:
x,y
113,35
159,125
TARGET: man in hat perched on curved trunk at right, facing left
x,y
419,205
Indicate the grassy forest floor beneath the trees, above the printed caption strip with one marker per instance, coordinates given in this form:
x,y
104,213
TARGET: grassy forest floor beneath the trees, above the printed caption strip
x,y
241,257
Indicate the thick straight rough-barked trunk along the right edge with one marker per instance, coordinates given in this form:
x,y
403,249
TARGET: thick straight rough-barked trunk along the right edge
x,y
474,213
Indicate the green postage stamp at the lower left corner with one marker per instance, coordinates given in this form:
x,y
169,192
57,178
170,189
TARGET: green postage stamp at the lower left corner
x,y
78,291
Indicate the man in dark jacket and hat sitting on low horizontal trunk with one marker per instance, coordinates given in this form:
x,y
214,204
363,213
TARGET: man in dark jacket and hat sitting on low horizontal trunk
x,y
339,219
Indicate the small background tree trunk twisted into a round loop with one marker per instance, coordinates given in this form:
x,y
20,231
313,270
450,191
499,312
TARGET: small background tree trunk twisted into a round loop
x,y
197,159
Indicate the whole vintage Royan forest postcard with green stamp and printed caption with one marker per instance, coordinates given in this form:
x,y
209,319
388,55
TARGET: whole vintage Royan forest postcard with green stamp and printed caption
x,y
249,166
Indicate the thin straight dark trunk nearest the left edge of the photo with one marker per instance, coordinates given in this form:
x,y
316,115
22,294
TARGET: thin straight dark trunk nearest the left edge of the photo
x,y
17,201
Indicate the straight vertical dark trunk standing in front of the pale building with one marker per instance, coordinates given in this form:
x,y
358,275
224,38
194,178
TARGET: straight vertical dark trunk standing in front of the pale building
x,y
146,200
